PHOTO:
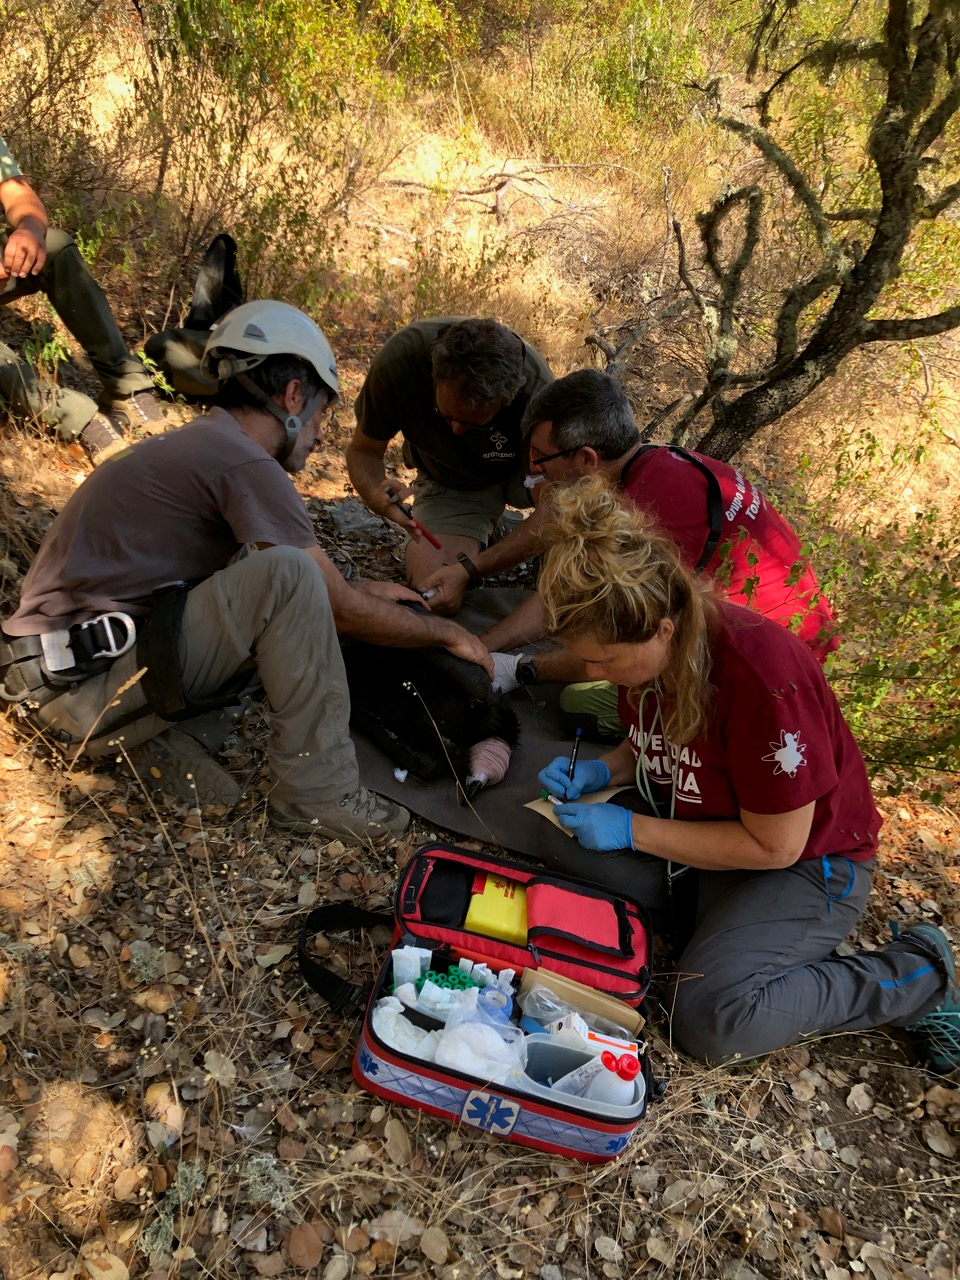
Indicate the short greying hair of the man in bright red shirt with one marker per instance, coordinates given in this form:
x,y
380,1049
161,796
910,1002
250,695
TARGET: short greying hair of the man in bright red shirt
x,y
586,409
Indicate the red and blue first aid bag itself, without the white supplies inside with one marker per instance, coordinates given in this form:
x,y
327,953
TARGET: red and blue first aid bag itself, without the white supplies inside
x,y
577,932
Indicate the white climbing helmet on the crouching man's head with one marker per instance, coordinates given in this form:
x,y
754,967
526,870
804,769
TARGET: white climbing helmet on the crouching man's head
x,y
255,331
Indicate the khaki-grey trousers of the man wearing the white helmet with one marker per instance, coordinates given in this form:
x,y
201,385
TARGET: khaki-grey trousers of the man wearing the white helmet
x,y
267,614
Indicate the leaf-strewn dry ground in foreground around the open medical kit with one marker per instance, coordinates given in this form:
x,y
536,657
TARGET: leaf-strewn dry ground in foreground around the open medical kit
x,y
171,1076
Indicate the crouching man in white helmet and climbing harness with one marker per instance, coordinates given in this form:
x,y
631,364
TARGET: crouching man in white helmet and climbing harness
x,y
136,586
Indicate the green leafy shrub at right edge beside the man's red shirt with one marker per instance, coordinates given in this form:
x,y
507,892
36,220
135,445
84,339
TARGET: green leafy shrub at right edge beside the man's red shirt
x,y
893,583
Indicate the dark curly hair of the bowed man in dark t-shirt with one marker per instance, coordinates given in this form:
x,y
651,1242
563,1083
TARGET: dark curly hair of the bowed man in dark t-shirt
x,y
484,360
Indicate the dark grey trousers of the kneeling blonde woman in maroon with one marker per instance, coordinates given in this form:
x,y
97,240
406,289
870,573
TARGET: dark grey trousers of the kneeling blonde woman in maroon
x,y
758,972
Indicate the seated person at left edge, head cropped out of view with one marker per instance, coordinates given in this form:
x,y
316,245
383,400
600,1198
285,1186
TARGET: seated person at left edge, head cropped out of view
x,y
38,260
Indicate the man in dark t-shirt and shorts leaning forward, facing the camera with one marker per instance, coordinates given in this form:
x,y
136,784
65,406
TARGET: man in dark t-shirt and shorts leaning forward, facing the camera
x,y
456,390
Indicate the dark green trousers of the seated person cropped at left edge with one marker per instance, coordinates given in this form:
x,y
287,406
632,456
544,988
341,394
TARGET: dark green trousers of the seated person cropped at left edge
x,y
83,307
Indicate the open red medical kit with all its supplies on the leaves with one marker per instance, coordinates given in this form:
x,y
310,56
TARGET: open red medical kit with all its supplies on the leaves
x,y
509,1003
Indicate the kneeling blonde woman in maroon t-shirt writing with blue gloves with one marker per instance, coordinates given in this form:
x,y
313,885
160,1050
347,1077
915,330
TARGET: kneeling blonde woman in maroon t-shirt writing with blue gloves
x,y
742,790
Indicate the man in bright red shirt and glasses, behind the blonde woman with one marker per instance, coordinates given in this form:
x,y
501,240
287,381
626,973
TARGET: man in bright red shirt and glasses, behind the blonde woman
x,y
724,527
